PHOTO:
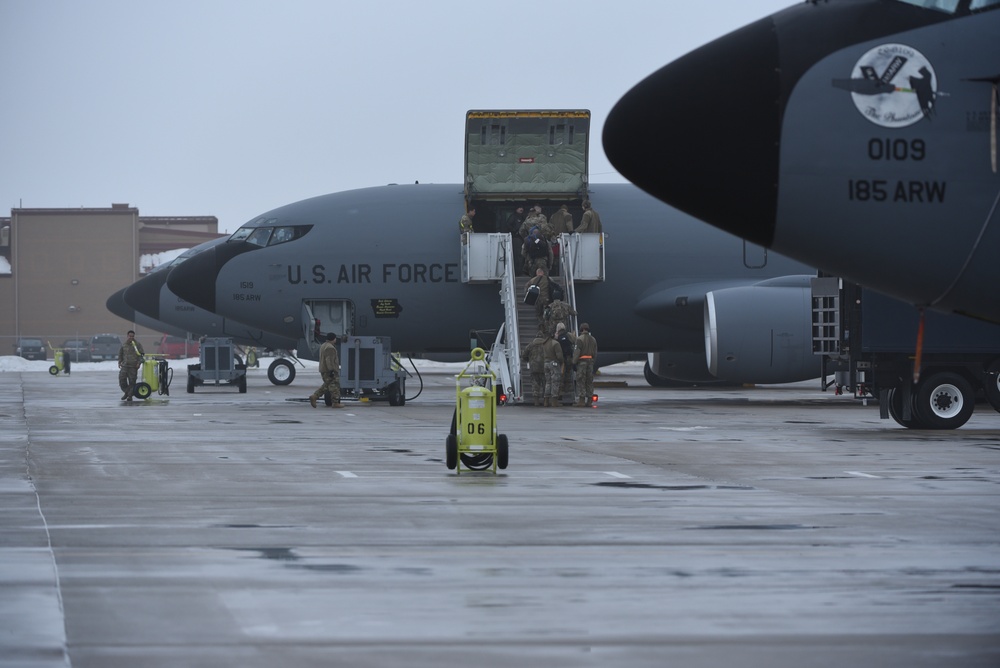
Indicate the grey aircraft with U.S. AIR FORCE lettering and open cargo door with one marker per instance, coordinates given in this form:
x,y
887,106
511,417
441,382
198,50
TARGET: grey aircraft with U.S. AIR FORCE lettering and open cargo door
x,y
387,261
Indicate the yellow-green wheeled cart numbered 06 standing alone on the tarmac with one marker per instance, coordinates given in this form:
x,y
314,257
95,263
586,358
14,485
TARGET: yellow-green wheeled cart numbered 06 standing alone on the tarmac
x,y
473,440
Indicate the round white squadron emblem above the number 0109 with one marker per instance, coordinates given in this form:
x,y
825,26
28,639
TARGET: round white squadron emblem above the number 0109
x,y
892,85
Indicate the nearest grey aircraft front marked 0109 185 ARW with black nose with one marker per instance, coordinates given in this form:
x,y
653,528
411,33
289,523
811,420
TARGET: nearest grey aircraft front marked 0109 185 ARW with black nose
x,y
858,136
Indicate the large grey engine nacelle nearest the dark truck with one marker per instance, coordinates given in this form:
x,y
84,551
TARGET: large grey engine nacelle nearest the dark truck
x,y
761,333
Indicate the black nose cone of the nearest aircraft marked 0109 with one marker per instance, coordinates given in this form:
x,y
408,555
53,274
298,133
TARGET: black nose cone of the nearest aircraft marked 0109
x,y
702,132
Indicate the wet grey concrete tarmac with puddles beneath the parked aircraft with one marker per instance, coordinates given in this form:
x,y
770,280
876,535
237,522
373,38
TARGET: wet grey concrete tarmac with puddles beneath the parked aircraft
x,y
751,527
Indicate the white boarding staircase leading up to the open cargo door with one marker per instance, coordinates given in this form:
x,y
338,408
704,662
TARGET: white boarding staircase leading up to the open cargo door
x,y
489,258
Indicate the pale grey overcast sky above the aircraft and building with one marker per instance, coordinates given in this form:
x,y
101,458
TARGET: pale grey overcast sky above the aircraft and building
x,y
233,107
